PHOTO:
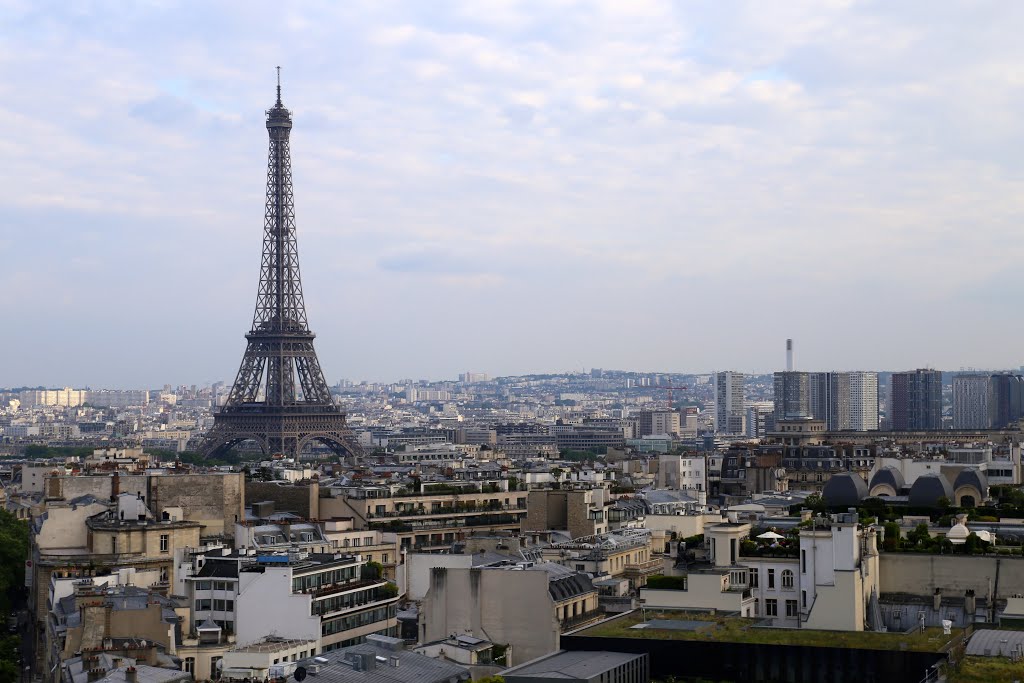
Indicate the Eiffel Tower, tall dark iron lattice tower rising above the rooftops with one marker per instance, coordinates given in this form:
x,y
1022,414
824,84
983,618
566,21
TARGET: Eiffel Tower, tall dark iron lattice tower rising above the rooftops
x,y
280,399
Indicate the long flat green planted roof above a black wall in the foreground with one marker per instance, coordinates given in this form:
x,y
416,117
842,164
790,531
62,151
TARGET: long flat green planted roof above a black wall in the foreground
x,y
739,630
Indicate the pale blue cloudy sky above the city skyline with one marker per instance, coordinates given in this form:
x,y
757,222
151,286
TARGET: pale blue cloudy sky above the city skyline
x,y
510,188
